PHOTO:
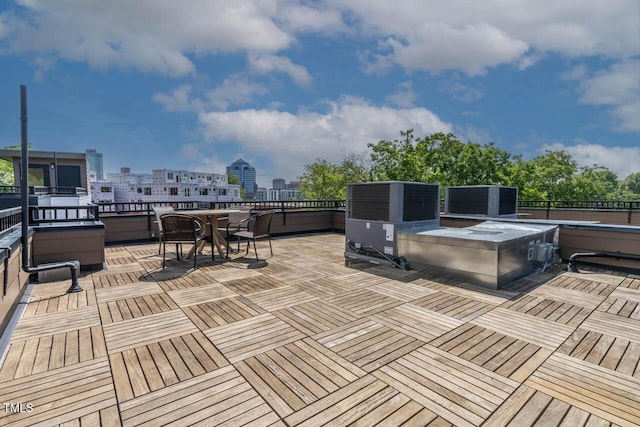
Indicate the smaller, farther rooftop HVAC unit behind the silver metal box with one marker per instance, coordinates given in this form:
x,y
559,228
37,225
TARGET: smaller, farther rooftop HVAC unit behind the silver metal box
x,y
492,201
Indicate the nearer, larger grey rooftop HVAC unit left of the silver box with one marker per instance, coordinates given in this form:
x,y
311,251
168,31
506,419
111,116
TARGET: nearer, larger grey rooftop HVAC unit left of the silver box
x,y
376,211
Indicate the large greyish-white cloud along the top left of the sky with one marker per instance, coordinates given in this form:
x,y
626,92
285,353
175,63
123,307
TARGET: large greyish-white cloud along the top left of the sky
x,y
150,35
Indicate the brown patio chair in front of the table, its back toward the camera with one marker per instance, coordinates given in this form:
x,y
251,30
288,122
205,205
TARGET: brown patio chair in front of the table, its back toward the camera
x,y
180,228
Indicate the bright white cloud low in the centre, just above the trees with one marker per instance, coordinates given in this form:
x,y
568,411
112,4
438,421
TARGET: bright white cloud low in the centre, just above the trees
x,y
292,140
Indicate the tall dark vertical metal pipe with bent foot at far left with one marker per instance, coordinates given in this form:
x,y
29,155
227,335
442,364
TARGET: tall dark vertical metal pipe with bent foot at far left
x,y
24,187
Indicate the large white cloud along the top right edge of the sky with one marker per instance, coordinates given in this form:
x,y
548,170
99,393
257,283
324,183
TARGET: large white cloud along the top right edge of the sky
x,y
473,36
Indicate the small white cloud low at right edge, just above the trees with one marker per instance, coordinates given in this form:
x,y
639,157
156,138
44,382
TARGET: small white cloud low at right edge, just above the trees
x,y
621,160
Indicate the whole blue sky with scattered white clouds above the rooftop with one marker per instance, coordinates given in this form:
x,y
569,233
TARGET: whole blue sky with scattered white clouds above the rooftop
x,y
195,85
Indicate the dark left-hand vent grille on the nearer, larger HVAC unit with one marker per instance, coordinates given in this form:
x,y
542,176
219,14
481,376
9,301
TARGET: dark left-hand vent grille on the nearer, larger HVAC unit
x,y
369,202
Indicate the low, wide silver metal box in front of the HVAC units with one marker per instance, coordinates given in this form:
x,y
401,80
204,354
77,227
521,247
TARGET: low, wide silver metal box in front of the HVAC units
x,y
491,254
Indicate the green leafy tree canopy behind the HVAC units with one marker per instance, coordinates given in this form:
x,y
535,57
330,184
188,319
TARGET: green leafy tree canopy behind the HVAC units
x,y
443,159
